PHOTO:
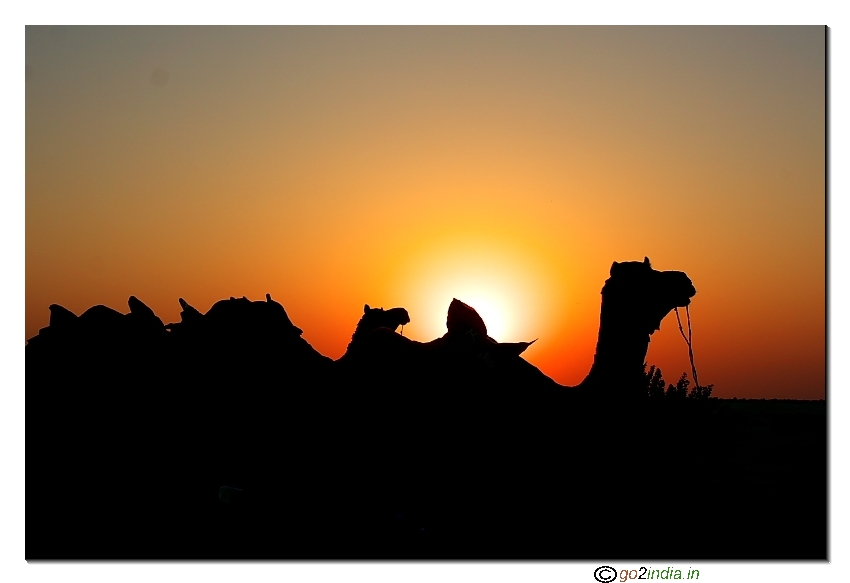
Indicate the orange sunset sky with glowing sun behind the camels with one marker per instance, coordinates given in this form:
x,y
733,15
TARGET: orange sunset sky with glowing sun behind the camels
x,y
507,167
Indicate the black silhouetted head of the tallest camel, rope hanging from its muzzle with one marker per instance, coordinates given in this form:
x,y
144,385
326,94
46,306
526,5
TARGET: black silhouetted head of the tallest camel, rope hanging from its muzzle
x,y
641,296
